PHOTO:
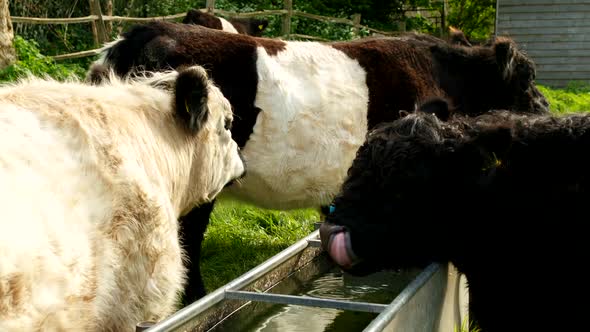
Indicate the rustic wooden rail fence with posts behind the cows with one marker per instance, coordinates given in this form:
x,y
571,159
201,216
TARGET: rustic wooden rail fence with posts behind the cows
x,y
101,30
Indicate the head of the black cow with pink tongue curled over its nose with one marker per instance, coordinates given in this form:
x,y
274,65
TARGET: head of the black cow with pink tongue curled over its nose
x,y
374,220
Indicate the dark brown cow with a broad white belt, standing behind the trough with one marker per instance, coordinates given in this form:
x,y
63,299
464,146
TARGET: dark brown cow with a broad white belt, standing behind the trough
x,y
302,109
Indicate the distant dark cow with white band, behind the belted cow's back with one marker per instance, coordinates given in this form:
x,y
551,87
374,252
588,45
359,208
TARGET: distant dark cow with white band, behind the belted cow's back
x,y
247,26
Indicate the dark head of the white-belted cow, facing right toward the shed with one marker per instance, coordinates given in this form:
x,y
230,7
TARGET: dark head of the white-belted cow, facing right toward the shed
x,y
493,76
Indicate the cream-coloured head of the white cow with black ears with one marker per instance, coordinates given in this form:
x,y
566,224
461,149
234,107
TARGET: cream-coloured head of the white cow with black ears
x,y
204,118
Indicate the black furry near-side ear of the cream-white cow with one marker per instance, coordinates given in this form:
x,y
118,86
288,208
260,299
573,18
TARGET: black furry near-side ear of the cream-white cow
x,y
191,93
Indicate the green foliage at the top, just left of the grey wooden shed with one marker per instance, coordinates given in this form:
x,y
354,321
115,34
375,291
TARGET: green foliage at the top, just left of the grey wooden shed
x,y
474,17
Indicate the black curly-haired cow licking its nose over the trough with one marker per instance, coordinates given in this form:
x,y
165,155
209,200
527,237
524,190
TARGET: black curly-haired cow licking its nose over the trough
x,y
502,196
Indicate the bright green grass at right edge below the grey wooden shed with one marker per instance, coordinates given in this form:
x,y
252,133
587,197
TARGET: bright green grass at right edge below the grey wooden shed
x,y
574,98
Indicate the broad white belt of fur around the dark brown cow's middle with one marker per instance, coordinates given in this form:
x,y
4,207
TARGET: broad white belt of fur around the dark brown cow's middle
x,y
314,102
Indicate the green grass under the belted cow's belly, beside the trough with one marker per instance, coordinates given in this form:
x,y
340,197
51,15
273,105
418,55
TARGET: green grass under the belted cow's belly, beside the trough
x,y
240,237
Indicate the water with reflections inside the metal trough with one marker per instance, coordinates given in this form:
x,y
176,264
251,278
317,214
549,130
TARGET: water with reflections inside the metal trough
x,y
380,287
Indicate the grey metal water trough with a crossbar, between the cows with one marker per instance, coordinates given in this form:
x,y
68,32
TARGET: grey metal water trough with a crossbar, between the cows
x,y
436,300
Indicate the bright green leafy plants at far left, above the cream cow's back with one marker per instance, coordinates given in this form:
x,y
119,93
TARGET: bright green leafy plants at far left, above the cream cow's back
x,y
31,61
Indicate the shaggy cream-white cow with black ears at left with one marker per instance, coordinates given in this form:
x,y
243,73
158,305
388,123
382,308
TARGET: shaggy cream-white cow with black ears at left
x,y
93,180
